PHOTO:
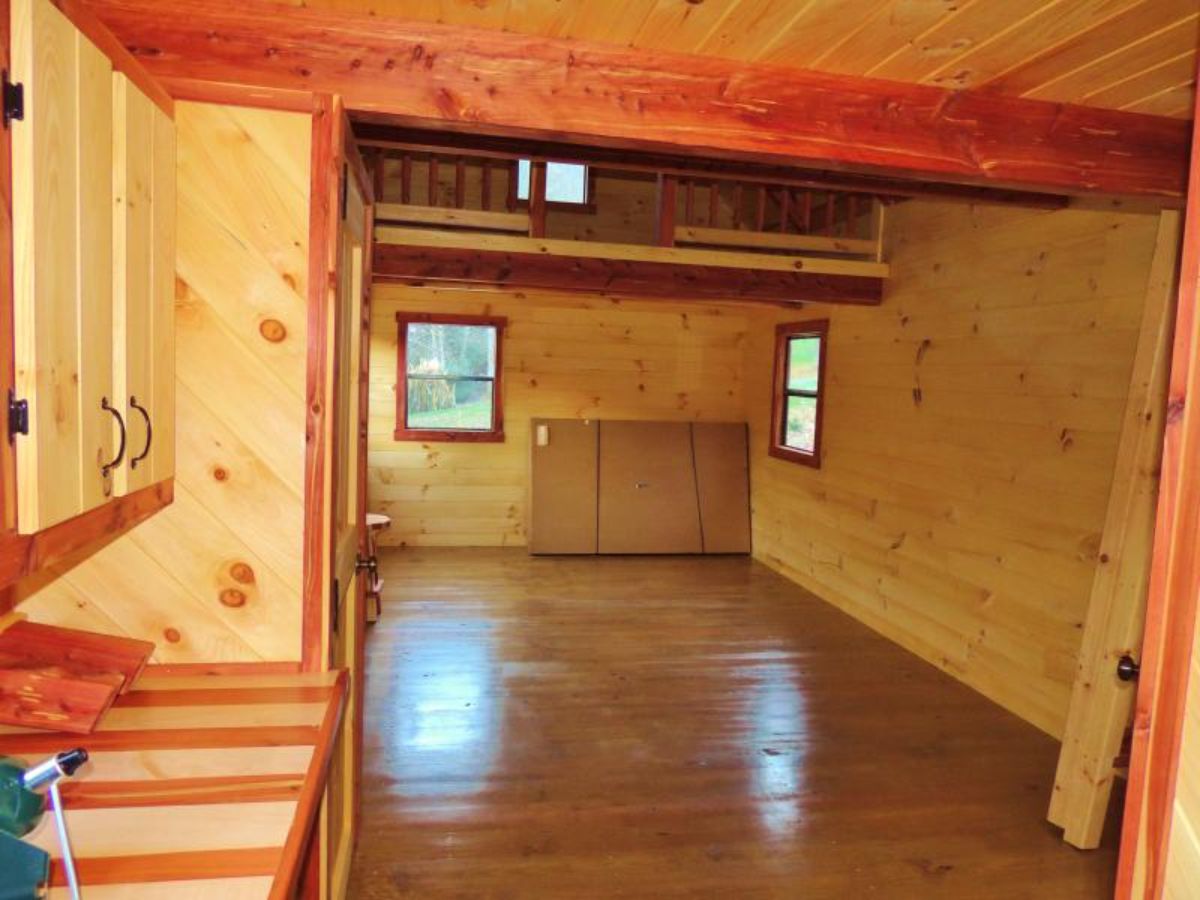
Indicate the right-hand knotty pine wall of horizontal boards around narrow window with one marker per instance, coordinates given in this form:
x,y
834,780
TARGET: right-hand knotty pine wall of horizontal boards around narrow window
x,y
971,433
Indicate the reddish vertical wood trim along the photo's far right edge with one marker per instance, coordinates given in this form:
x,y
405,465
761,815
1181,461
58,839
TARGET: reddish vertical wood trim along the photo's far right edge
x,y
1171,632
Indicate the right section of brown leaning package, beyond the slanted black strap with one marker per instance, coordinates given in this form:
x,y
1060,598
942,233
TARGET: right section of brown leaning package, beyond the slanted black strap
x,y
723,484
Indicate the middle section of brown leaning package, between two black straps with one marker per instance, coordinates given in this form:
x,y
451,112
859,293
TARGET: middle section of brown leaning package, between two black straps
x,y
649,489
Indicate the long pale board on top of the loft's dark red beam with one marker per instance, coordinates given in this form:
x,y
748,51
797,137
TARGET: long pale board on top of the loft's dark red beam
x,y
631,253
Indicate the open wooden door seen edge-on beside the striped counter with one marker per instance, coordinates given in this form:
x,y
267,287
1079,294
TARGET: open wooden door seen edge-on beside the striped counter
x,y
350,343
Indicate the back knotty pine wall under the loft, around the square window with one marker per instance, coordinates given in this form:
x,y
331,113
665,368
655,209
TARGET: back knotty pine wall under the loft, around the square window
x,y
565,357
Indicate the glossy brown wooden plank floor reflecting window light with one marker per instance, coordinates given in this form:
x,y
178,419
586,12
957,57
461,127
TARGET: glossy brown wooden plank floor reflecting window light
x,y
697,728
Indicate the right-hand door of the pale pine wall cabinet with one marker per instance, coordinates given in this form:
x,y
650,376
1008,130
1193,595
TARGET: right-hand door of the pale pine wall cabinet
x,y
143,286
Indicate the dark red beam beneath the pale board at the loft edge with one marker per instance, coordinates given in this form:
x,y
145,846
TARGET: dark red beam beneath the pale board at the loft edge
x,y
619,278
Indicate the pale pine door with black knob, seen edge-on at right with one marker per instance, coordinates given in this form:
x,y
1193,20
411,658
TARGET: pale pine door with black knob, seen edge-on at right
x,y
1101,704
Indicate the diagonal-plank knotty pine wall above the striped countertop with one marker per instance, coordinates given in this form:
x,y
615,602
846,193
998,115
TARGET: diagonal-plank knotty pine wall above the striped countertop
x,y
218,575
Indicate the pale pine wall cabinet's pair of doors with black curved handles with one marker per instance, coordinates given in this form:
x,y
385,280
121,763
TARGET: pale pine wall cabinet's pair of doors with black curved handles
x,y
94,219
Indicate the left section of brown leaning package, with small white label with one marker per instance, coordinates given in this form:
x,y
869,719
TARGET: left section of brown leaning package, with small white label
x,y
563,484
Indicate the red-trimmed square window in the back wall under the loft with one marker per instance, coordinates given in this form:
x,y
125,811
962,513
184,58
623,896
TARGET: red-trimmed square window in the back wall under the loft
x,y
448,380
